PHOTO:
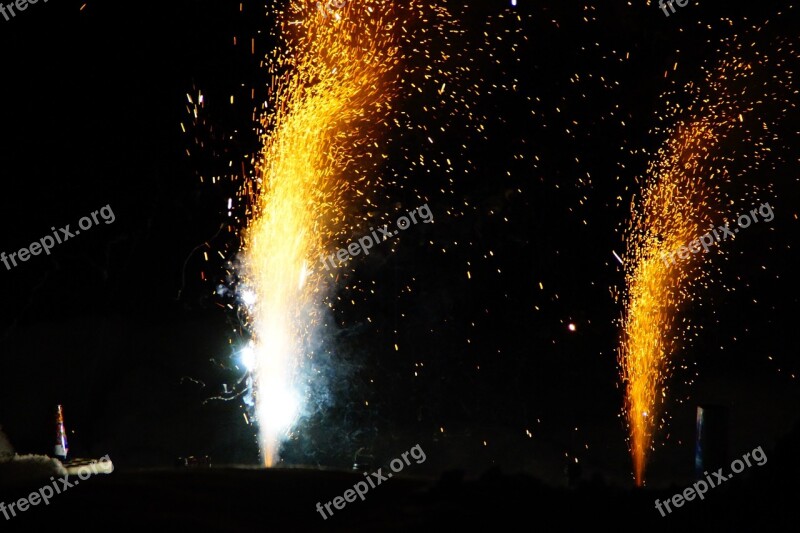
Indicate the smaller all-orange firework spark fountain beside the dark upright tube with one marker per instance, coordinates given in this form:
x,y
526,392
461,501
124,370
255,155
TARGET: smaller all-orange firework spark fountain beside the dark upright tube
x,y
684,195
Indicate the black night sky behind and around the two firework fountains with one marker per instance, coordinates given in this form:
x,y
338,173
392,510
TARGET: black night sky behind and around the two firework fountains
x,y
457,335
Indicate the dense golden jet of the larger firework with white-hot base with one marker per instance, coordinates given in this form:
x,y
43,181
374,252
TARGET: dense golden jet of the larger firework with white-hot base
x,y
333,80
